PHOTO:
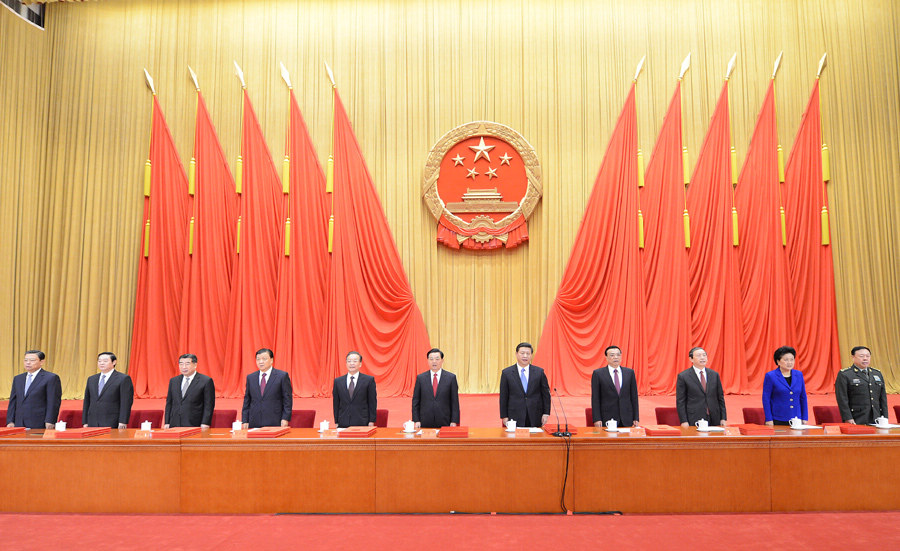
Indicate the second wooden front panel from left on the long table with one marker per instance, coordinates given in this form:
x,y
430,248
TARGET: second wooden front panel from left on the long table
x,y
296,473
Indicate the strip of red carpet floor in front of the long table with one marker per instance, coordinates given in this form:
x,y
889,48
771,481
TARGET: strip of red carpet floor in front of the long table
x,y
819,531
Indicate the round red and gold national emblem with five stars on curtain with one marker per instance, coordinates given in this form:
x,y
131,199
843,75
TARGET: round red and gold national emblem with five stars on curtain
x,y
482,181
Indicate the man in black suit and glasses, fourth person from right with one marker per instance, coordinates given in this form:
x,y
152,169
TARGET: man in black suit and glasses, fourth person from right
x,y
614,392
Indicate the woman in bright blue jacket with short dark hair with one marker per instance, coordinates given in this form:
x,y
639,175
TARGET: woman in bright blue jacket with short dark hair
x,y
784,392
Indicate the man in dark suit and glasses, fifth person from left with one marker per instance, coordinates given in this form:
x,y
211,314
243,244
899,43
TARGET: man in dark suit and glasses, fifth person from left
x,y
354,396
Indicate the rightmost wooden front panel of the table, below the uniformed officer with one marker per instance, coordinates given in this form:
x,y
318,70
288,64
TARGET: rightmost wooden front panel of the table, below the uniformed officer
x,y
839,473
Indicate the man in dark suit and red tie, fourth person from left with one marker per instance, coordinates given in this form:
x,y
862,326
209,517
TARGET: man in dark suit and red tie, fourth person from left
x,y
269,397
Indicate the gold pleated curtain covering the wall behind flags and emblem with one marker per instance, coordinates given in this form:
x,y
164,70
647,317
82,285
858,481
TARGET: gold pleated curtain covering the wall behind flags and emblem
x,y
75,121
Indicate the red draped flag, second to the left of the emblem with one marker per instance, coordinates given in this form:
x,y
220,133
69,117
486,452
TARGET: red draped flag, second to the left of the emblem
x,y
305,262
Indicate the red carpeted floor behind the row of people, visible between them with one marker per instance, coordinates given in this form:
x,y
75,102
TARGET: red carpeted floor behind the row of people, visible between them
x,y
482,410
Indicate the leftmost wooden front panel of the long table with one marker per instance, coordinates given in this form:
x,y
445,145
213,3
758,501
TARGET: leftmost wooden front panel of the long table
x,y
104,474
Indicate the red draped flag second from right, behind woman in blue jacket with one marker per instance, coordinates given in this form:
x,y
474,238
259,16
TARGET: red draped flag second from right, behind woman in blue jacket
x,y
767,312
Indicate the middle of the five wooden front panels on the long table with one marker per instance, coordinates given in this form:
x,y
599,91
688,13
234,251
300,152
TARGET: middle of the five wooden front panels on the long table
x,y
489,471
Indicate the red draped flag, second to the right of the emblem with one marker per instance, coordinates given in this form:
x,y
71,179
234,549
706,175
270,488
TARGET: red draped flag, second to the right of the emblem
x,y
665,261
